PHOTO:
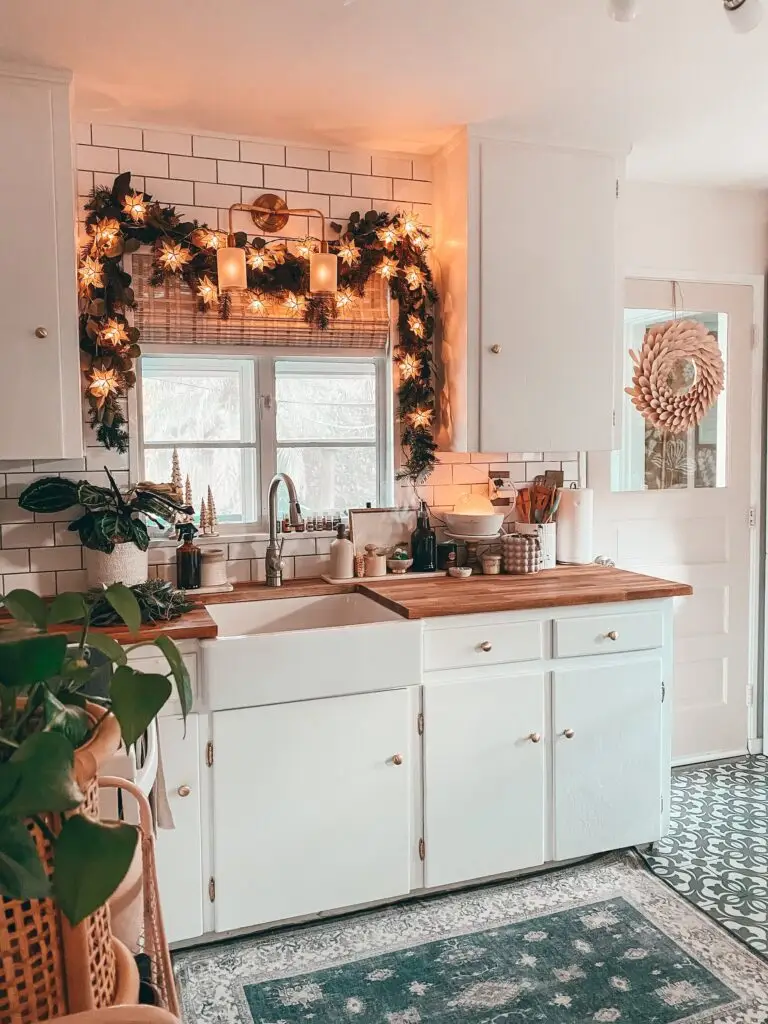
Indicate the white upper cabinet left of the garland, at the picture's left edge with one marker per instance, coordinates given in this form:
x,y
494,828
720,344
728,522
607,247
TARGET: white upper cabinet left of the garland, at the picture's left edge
x,y
40,405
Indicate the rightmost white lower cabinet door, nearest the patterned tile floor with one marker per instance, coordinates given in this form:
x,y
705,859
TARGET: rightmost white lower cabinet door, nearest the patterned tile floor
x,y
608,739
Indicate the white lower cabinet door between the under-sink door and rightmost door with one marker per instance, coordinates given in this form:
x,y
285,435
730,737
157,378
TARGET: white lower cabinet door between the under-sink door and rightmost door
x,y
485,777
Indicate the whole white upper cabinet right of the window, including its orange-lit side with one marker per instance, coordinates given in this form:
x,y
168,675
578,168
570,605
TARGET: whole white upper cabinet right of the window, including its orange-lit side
x,y
526,248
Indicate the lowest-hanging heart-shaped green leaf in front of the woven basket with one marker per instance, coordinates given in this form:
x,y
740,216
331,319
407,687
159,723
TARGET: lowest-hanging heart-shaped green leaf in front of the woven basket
x,y
91,862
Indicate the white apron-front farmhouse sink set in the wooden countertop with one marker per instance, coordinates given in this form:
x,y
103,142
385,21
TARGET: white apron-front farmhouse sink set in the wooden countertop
x,y
273,652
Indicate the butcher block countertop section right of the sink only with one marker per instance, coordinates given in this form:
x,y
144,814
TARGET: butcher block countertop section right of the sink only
x,y
564,587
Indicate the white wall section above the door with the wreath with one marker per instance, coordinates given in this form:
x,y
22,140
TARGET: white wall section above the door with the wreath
x,y
708,232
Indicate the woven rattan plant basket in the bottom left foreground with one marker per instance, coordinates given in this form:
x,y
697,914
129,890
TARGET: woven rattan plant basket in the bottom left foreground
x,y
48,966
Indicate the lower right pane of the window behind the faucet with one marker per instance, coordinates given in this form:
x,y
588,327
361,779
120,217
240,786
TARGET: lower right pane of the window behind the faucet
x,y
330,479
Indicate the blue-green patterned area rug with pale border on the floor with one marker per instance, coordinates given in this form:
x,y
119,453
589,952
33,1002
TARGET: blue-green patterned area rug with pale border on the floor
x,y
605,942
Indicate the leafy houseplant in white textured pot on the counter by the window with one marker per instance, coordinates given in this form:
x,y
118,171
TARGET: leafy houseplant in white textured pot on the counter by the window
x,y
112,526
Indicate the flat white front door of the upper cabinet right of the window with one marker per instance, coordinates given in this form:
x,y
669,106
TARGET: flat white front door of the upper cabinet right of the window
x,y
547,298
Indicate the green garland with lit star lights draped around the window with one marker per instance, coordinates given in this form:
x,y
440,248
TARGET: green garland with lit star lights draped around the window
x,y
121,220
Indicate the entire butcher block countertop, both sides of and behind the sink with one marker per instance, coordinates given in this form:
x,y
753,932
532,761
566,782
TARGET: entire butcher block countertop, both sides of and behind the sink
x,y
415,599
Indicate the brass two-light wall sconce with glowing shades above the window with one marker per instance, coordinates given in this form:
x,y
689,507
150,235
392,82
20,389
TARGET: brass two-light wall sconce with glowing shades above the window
x,y
271,214
